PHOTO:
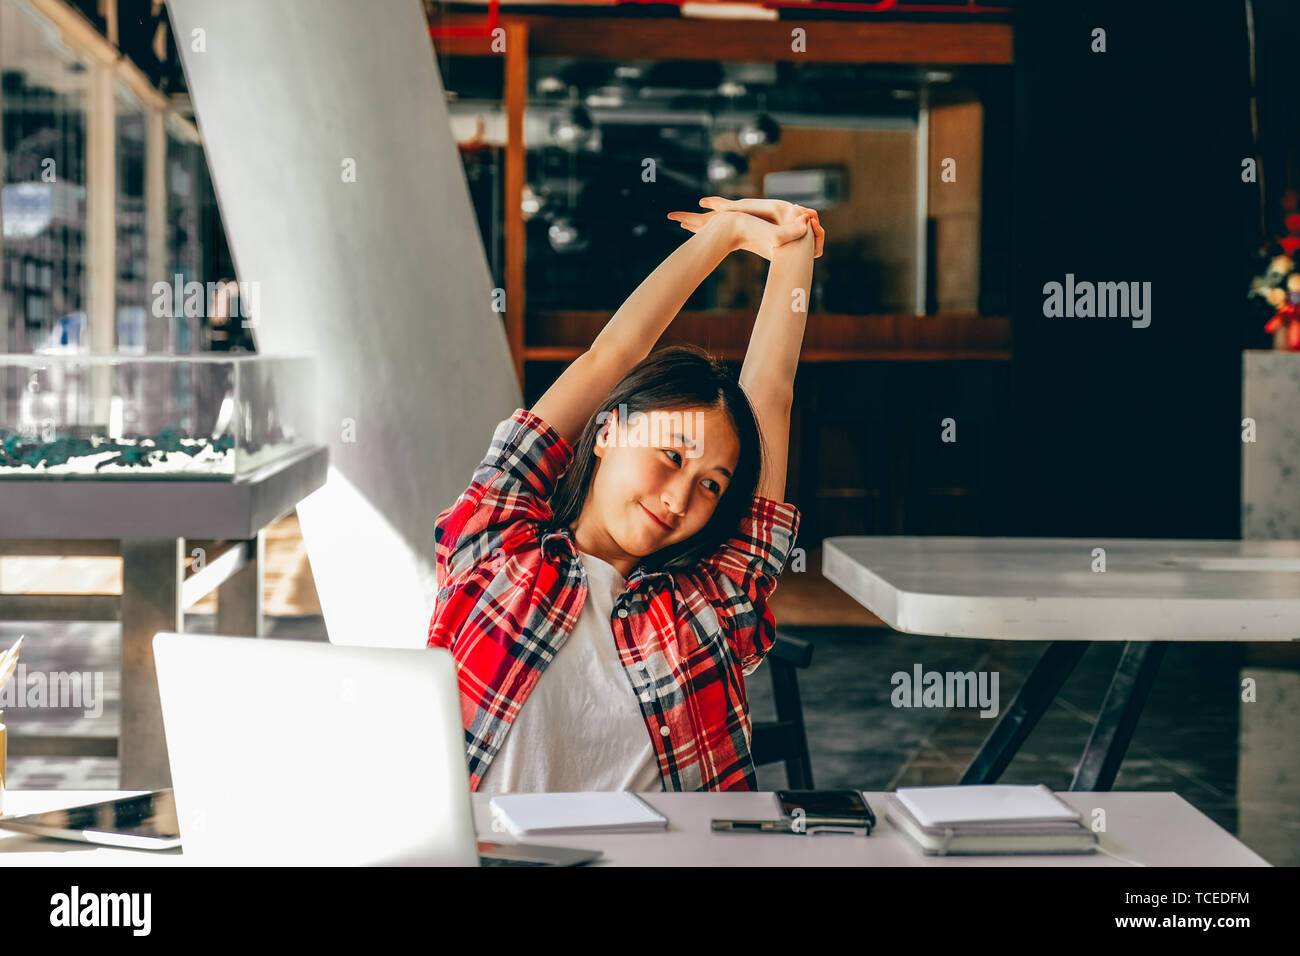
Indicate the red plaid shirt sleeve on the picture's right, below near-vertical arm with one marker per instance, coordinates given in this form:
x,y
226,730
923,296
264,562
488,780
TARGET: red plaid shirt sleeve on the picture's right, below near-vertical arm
x,y
746,569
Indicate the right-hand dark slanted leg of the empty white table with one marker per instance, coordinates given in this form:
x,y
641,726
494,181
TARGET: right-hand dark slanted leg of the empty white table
x,y
1119,716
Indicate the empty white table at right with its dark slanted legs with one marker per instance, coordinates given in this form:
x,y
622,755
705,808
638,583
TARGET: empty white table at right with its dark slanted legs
x,y
1151,592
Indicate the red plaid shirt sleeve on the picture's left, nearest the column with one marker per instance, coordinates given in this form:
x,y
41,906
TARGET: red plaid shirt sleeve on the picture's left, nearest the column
x,y
510,486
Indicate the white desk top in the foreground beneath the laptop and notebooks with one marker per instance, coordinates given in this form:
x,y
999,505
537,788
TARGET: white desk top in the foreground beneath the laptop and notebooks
x,y
1152,829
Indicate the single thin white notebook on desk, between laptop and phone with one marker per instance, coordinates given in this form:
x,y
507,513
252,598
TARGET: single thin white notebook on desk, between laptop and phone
x,y
610,812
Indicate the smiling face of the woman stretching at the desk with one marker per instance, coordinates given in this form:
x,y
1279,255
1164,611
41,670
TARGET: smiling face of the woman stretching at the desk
x,y
658,481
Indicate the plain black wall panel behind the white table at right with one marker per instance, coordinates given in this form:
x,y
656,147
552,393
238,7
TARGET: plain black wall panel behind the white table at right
x,y
1126,166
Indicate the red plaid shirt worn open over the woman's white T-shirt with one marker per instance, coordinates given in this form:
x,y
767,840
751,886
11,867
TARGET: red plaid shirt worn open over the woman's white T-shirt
x,y
510,594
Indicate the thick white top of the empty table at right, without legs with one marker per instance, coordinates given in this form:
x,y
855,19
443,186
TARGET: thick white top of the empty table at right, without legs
x,y
1008,589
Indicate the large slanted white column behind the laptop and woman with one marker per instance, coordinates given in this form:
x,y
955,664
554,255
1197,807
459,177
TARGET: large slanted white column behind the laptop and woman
x,y
345,200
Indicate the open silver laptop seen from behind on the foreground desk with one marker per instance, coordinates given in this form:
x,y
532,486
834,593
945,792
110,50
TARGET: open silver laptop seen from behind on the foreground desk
x,y
304,754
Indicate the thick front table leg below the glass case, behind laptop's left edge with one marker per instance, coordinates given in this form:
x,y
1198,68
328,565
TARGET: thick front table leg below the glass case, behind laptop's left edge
x,y
153,573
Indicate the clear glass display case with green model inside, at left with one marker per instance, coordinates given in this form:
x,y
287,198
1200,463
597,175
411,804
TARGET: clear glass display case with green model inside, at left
x,y
153,417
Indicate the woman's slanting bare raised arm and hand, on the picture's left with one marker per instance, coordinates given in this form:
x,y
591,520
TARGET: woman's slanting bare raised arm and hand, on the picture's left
x,y
631,334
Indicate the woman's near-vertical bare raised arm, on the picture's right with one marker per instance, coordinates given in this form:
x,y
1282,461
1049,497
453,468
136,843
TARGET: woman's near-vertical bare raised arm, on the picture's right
x,y
773,357
